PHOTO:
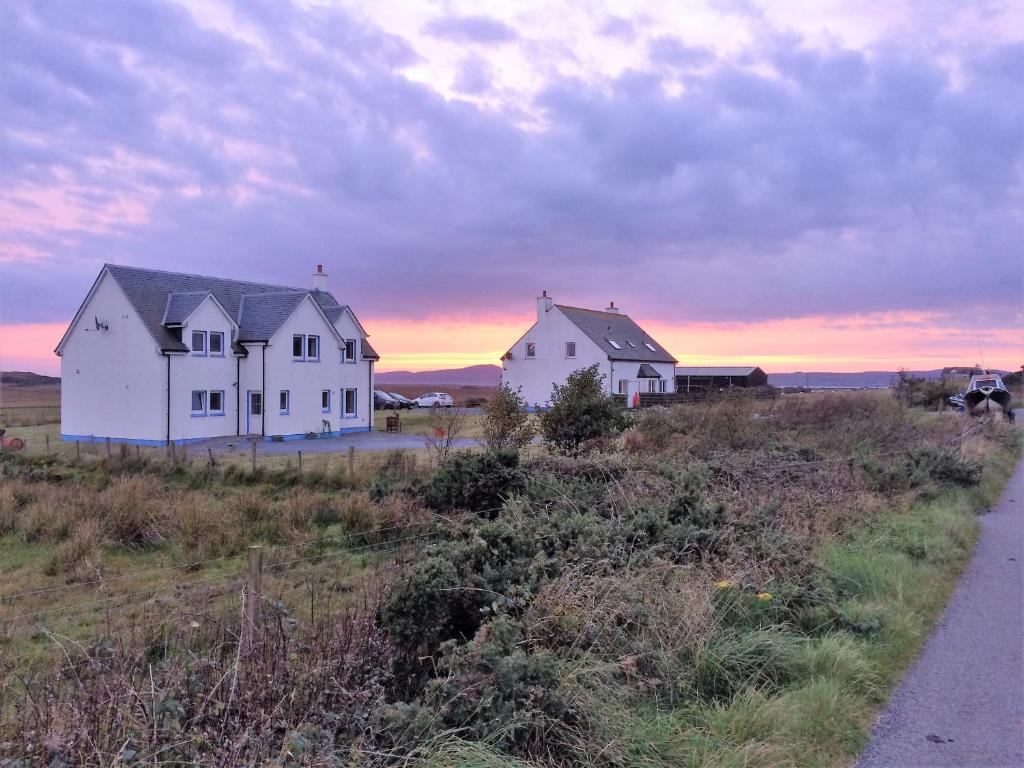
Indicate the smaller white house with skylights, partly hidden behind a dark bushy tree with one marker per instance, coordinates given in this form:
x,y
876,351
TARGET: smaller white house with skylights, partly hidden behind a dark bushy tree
x,y
566,339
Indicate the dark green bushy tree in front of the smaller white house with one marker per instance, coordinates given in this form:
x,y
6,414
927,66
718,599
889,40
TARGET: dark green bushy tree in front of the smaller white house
x,y
581,412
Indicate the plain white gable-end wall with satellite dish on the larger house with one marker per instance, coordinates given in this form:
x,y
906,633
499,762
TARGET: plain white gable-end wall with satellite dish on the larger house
x,y
113,383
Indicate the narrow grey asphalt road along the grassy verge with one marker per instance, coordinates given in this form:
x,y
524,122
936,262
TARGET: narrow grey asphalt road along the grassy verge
x,y
963,702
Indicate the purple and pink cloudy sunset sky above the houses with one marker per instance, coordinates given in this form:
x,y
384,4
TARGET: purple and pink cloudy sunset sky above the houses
x,y
828,186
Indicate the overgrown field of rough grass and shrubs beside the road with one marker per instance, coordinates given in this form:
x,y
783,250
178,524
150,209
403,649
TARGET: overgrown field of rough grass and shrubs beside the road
x,y
719,586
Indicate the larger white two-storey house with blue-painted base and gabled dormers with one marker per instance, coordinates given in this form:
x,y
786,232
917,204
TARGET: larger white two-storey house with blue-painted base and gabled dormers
x,y
154,358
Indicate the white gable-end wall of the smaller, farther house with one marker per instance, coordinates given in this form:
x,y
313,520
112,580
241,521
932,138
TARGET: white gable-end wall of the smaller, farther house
x,y
535,376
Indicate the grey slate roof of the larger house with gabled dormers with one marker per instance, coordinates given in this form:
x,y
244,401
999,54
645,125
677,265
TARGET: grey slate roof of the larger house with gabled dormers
x,y
259,309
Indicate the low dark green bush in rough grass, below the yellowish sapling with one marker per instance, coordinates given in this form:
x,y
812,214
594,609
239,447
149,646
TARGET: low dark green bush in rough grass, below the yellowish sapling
x,y
479,483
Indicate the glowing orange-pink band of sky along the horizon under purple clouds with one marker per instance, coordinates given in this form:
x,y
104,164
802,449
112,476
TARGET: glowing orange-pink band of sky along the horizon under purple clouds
x,y
842,345
